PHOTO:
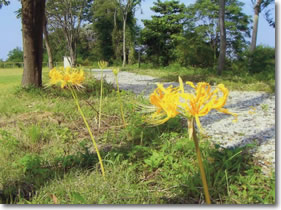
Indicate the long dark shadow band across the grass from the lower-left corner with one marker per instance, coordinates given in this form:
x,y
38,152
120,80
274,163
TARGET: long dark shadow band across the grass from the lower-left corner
x,y
36,172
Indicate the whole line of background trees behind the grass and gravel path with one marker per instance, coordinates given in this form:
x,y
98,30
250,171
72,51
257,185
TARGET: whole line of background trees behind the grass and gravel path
x,y
204,34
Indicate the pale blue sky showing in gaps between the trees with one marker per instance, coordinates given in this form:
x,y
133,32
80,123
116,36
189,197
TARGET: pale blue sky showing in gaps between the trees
x,y
11,37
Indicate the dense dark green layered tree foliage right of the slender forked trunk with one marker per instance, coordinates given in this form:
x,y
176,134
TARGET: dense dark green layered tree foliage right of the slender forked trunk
x,y
162,32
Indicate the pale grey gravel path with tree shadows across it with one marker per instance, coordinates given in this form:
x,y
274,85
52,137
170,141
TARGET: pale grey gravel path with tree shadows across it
x,y
256,121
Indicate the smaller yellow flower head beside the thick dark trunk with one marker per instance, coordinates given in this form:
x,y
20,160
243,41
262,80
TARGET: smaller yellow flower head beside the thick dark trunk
x,y
66,77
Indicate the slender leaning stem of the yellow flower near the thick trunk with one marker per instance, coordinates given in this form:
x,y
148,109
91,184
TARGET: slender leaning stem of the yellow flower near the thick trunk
x,y
88,127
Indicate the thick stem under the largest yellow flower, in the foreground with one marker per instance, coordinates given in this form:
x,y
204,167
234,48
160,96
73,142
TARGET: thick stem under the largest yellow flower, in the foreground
x,y
201,167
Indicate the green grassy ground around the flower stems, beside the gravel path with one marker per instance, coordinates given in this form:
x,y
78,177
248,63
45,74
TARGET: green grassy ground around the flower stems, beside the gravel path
x,y
47,157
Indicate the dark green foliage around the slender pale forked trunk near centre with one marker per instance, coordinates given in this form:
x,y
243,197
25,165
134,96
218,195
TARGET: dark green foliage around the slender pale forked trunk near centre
x,y
107,24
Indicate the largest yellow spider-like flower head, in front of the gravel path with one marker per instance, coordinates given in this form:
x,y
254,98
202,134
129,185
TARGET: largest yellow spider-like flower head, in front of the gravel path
x,y
171,101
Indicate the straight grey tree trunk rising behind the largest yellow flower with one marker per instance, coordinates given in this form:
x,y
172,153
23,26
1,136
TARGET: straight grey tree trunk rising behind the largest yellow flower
x,y
222,37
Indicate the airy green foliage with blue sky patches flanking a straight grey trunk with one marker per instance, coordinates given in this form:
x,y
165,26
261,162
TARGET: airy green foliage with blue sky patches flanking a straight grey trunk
x,y
203,17
